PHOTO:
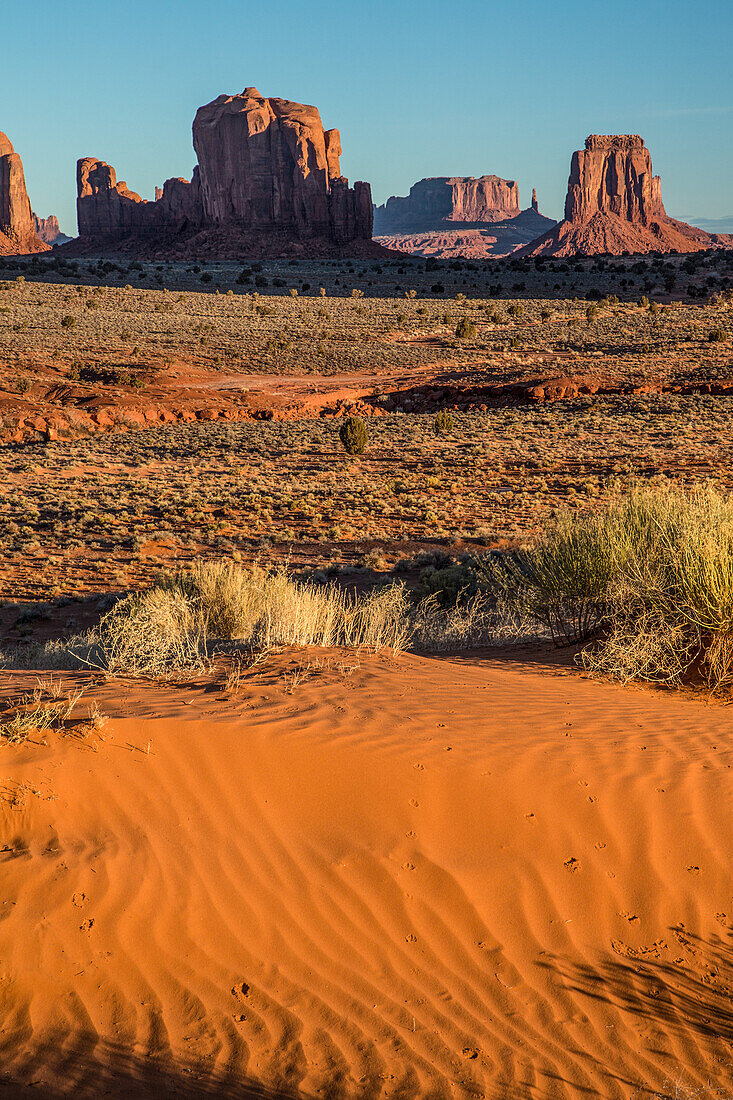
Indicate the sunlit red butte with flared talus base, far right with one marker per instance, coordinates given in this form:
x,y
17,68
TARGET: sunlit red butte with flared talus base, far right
x,y
615,206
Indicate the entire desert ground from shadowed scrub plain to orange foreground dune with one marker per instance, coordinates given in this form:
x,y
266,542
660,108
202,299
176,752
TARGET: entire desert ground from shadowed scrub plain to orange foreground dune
x,y
458,862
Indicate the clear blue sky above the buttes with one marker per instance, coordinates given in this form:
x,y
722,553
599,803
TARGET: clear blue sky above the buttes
x,y
417,87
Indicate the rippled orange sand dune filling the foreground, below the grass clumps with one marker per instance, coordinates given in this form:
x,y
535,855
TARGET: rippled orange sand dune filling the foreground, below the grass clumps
x,y
364,876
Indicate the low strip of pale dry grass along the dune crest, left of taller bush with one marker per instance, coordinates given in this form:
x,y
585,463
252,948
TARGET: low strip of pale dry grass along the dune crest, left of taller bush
x,y
177,624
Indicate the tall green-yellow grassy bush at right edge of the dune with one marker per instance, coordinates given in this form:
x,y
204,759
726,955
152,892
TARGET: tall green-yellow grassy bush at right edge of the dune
x,y
651,578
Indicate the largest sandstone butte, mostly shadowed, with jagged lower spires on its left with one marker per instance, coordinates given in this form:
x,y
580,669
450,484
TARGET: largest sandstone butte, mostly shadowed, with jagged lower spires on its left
x,y
268,177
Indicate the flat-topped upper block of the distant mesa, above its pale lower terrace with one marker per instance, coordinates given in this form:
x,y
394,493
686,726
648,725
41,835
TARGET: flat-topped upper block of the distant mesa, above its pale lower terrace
x,y
433,203
